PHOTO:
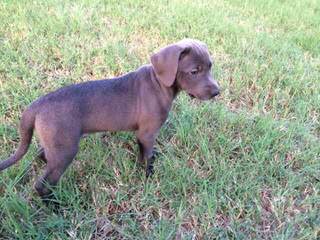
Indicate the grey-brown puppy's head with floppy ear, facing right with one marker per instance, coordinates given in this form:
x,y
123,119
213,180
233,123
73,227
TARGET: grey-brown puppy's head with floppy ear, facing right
x,y
188,65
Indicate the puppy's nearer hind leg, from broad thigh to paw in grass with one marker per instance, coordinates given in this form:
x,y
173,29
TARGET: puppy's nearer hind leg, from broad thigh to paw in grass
x,y
60,140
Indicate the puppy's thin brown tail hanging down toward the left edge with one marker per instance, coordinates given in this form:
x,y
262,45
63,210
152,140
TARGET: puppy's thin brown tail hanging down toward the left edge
x,y
26,132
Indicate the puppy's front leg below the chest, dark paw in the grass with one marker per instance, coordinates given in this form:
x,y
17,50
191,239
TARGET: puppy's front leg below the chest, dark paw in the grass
x,y
146,140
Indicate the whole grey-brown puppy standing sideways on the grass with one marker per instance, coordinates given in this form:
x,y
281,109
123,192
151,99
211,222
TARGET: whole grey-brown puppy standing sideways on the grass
x,y
138,101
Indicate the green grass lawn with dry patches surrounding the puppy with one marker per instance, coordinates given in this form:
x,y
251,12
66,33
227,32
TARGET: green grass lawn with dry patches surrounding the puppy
x,y
244,167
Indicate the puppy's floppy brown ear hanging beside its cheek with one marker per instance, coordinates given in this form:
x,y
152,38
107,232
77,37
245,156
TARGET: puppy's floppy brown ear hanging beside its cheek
x,y
165,62
